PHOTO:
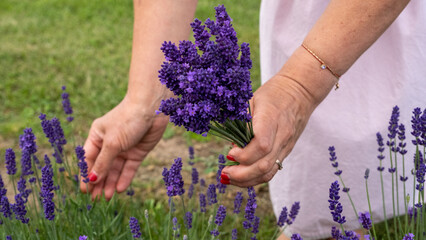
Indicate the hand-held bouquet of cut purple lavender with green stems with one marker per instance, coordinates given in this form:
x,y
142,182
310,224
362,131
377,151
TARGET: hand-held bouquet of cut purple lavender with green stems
x,y
210,80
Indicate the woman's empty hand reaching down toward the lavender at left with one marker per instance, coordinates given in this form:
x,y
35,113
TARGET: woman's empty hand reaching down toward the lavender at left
x,y
117,144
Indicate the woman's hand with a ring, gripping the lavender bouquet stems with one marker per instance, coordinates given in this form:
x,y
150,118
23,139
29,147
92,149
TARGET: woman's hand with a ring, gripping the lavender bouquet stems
x,y
281,110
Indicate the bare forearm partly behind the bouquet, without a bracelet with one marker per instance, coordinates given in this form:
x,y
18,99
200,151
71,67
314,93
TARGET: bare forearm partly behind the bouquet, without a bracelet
x,y
154,23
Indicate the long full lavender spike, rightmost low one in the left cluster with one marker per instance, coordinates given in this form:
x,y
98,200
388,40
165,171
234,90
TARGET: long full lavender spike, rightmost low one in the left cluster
x,y
46,193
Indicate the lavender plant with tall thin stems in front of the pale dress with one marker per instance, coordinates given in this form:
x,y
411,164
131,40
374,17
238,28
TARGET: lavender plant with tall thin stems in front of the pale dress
x,y
408,222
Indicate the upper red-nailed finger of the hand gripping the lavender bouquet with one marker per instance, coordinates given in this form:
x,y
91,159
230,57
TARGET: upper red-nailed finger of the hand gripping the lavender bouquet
x,y
262,143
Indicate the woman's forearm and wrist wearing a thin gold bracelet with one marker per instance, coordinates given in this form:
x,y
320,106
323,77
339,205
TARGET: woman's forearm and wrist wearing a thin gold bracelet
x,y
342,34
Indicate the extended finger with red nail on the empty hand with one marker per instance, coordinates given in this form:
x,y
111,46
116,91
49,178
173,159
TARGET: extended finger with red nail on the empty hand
x,y
109,151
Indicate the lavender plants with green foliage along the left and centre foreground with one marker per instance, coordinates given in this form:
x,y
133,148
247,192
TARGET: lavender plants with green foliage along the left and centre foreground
x,y
46,202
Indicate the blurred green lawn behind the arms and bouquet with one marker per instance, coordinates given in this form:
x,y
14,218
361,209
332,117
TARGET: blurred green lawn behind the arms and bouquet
x,y
85,45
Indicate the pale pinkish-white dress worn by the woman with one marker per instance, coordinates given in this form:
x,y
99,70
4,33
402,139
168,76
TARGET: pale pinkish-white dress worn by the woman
x,y
391,72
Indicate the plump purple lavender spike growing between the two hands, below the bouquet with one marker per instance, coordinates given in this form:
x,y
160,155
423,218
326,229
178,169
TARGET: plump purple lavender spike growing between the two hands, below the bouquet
x,y
173,179
